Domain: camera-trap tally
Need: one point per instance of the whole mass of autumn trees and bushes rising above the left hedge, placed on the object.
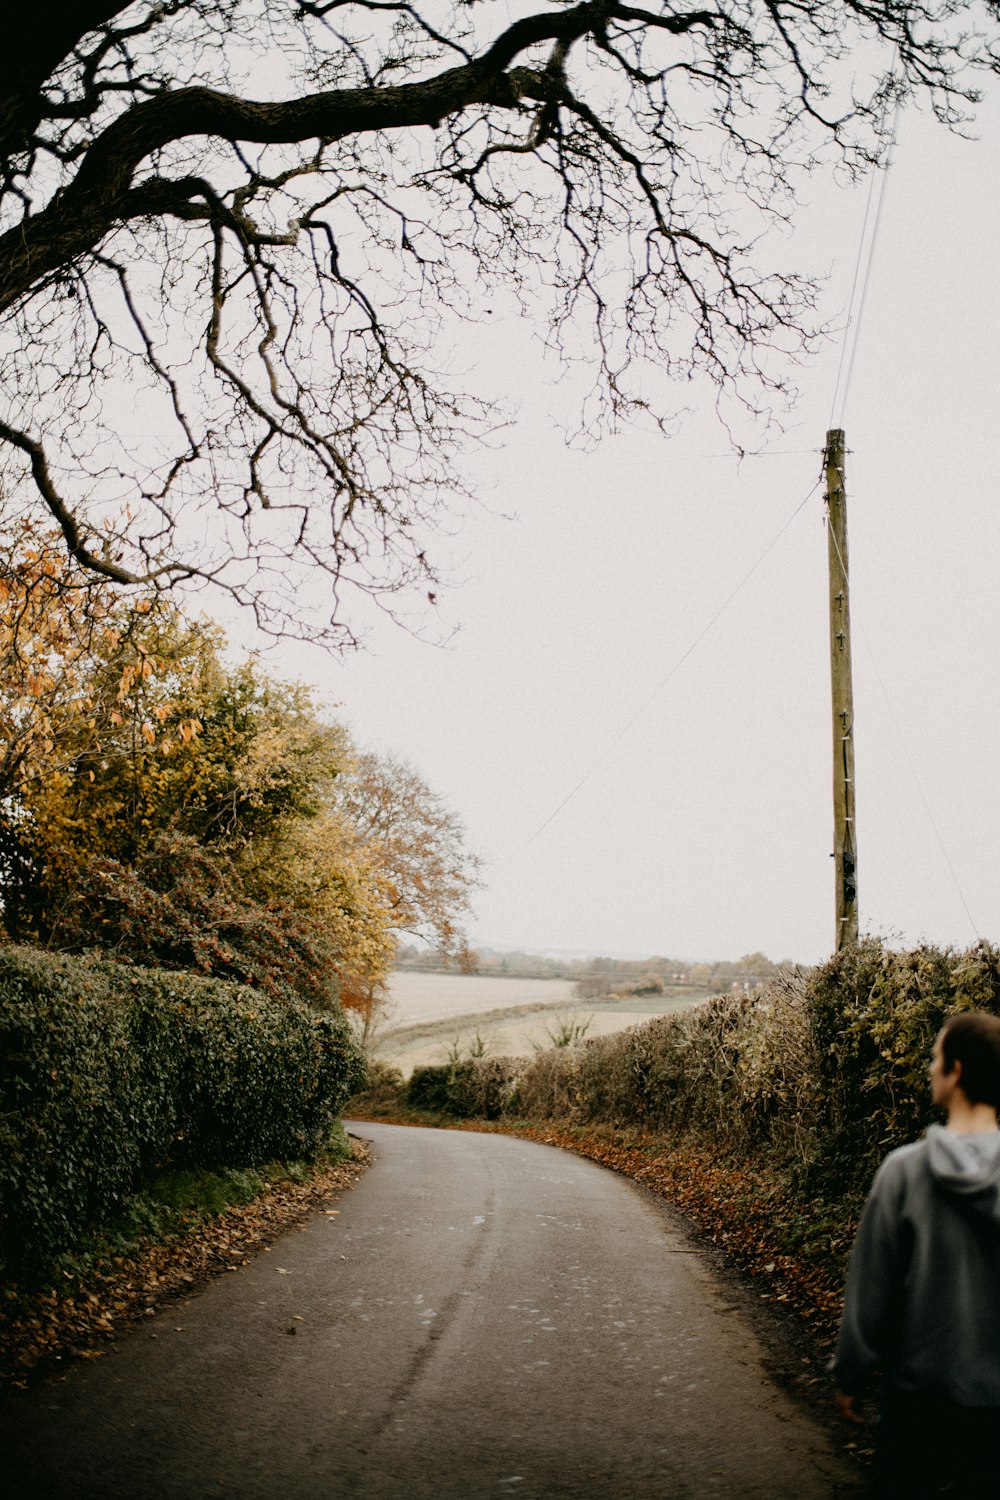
(184, 812)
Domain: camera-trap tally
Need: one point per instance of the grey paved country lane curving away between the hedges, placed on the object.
(479, 1318)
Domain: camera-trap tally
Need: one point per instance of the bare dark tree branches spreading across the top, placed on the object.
(230, 233)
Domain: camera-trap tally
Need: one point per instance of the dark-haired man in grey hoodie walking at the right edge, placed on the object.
(924, 1286)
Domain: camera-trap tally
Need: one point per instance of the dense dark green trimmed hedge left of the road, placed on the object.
(109, 1073)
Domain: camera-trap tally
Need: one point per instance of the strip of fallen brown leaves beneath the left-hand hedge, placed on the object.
(41, 1331)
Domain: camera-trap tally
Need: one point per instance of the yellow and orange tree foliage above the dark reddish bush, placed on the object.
(119, 724)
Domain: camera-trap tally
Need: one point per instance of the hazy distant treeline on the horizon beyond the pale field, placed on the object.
(596, 977)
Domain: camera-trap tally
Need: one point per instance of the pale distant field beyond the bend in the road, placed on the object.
(430, 1015)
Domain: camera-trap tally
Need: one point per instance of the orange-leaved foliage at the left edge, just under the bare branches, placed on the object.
(88, 683)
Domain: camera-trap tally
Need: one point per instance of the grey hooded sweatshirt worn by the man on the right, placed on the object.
(924, 1285)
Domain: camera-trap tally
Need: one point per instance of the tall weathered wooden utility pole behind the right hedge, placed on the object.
(843, 695)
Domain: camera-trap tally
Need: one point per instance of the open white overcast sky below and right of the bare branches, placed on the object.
(704, 826)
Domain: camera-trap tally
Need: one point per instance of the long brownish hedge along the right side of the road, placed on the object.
(815, 1075)
